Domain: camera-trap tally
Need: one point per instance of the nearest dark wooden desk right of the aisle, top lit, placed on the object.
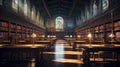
(88, 49)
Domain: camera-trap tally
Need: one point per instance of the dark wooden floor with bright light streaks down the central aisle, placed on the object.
(60, 55)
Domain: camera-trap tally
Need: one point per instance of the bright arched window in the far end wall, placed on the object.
(59, 23)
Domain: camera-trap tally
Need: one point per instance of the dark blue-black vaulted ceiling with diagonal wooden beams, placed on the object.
(51, 8)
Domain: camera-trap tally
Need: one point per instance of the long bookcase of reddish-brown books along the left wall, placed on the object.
(18, 32)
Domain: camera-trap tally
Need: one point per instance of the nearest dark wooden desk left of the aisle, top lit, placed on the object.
(21, 52)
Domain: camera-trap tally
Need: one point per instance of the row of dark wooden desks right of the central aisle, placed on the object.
(93, 48)
